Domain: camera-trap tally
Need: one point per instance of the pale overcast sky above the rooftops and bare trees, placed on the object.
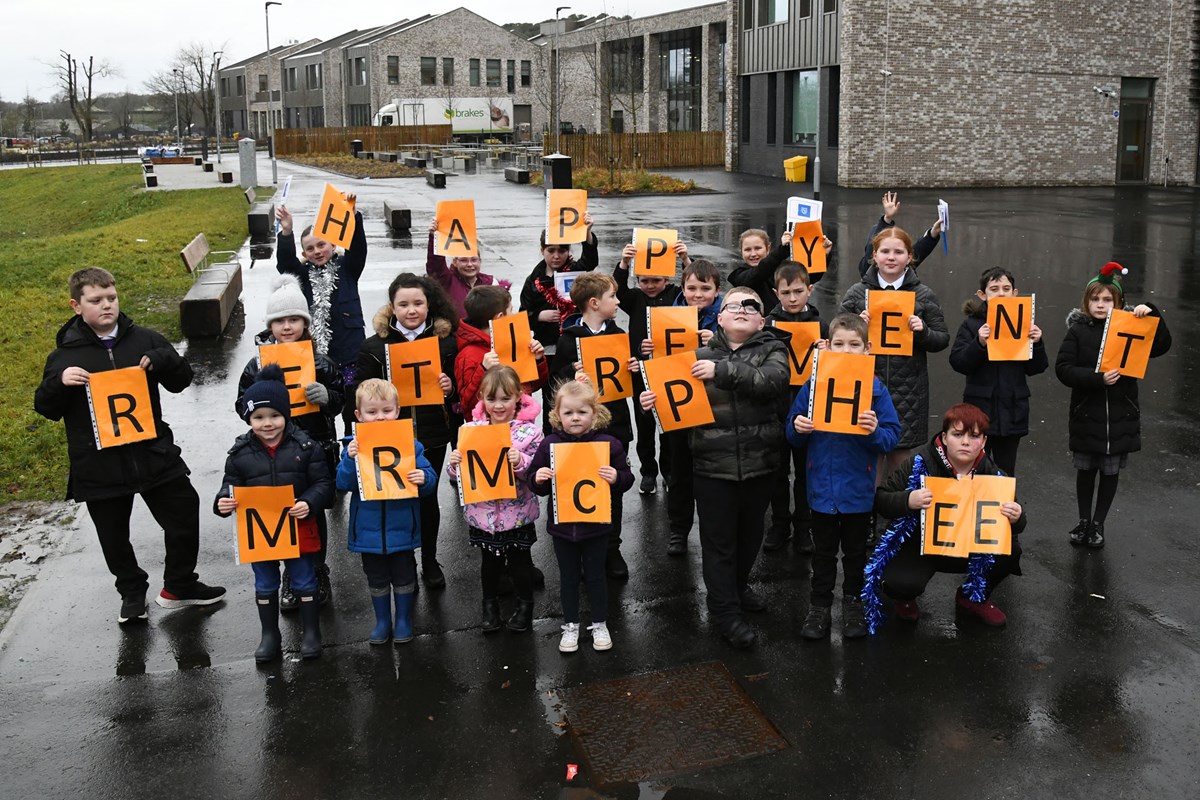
(140, 38)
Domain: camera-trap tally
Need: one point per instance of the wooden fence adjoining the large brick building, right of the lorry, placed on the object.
(644, 151)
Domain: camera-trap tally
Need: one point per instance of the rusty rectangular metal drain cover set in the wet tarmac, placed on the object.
(667, 723)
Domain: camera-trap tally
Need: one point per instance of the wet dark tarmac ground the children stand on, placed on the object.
(1090, 691)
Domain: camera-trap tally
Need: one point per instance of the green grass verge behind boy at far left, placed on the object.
(59, 220)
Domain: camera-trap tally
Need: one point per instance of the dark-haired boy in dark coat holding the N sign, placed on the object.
(1000, 388)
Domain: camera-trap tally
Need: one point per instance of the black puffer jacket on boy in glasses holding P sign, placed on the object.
(747, 394)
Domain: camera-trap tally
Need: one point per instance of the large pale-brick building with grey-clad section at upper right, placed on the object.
(968, 93)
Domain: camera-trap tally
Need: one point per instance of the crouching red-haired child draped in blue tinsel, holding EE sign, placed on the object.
(898, 566)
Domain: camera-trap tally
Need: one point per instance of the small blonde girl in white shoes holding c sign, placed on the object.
(581, 548)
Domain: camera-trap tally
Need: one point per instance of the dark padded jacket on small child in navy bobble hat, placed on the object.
(299, 462)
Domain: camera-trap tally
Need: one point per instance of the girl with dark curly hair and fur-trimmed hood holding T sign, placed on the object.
(417, 310)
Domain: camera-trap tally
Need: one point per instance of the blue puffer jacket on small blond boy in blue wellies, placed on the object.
(385, 526)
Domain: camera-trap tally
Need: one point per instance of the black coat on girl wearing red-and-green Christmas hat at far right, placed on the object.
(1102, 420)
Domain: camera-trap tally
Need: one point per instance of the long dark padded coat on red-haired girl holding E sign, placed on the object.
(907, 377)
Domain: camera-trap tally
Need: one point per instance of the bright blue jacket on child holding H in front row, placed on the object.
(842, 466)
